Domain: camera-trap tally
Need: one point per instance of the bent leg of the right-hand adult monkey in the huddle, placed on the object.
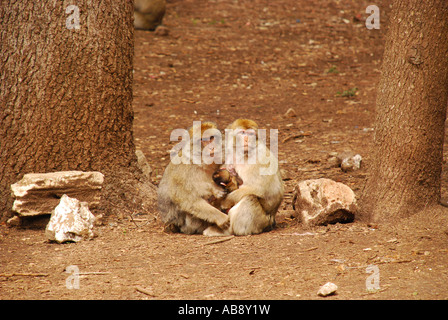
(248, 217)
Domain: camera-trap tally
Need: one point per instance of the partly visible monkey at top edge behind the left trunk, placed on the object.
(148, 14)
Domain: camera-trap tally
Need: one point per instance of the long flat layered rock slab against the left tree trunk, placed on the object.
(39, 193)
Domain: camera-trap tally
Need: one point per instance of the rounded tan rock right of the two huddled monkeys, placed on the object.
(324, 201)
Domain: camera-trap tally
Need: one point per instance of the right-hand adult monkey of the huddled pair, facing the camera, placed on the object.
(254, 204)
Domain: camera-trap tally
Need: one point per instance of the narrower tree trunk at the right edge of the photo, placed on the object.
(407, 154)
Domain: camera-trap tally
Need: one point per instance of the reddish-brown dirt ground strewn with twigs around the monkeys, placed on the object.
(256, 59)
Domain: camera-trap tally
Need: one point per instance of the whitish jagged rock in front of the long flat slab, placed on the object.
(71, 220)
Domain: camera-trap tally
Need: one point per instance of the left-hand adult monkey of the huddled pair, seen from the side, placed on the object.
(186, 189)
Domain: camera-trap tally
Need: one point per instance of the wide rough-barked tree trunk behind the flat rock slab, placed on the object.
(66, 95)
